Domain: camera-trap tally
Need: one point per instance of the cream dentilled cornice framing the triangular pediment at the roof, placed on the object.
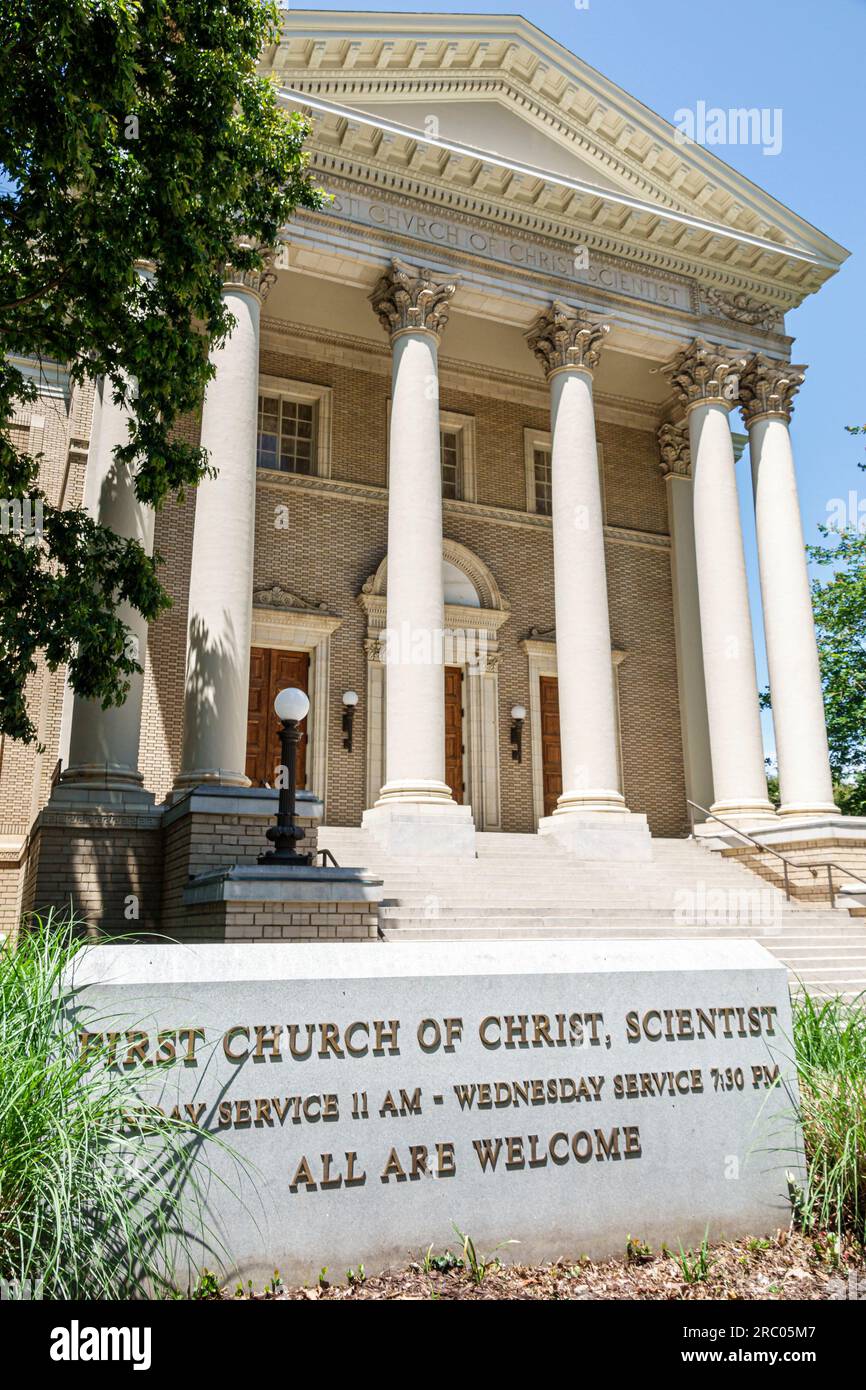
(690, 205)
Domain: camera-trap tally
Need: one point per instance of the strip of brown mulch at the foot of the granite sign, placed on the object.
(789, 1266)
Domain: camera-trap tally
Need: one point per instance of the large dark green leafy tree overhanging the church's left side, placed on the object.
(130, 131)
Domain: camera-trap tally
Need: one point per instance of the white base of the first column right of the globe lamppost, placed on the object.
(436, 829)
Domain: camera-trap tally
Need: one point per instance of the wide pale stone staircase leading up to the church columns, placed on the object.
(523, 888)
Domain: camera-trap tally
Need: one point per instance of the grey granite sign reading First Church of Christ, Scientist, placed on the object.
(557, 1096)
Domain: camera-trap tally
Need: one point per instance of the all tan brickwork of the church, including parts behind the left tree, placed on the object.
(323, 541)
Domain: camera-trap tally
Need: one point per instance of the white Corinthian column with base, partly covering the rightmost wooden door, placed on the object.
(591, 815)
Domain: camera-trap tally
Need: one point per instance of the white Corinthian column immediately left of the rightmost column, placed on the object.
(705, 379)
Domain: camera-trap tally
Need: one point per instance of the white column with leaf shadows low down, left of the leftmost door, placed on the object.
(222, 572)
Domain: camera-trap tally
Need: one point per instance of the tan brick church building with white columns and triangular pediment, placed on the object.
(476, 441)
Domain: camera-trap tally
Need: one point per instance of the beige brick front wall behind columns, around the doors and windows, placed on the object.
(334, 544)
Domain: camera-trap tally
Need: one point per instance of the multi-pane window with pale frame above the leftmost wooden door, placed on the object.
(294, 427)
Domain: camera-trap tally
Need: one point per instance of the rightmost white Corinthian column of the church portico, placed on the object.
(767, 395)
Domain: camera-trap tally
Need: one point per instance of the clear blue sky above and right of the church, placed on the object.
(807, 59)
